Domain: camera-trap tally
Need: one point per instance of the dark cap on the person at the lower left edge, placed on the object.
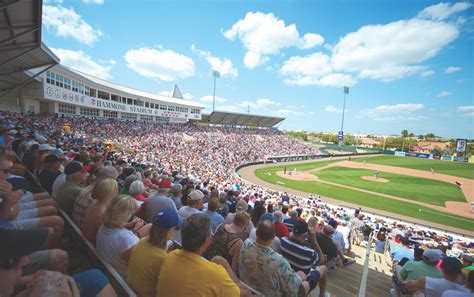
(18, 243)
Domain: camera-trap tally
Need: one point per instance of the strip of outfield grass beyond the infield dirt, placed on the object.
(447, 167)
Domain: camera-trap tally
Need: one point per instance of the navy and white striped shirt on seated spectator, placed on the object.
(300, 257)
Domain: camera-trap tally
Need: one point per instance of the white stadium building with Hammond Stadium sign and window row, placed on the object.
(68, 92)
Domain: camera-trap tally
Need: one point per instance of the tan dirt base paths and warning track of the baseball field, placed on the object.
(248, 173)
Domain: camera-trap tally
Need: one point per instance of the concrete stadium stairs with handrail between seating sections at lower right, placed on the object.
(345, 281)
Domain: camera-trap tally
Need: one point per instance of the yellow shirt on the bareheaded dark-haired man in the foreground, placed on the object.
(187, 274)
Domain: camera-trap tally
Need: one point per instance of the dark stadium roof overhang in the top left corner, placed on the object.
(21, 48)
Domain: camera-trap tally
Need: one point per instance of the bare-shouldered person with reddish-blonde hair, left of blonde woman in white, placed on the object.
(104, 192)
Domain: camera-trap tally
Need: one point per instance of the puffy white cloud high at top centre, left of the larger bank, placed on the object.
(264, 34)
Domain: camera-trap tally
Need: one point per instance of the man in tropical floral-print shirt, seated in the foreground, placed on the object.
(266, 270)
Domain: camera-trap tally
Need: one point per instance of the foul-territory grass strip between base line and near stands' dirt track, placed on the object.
(365, 199)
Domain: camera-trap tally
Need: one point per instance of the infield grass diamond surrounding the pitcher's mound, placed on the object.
(404, 186)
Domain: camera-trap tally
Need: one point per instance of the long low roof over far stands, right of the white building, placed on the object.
(240, 119)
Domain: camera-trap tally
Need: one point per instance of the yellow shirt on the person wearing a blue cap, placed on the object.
(144, 268)
